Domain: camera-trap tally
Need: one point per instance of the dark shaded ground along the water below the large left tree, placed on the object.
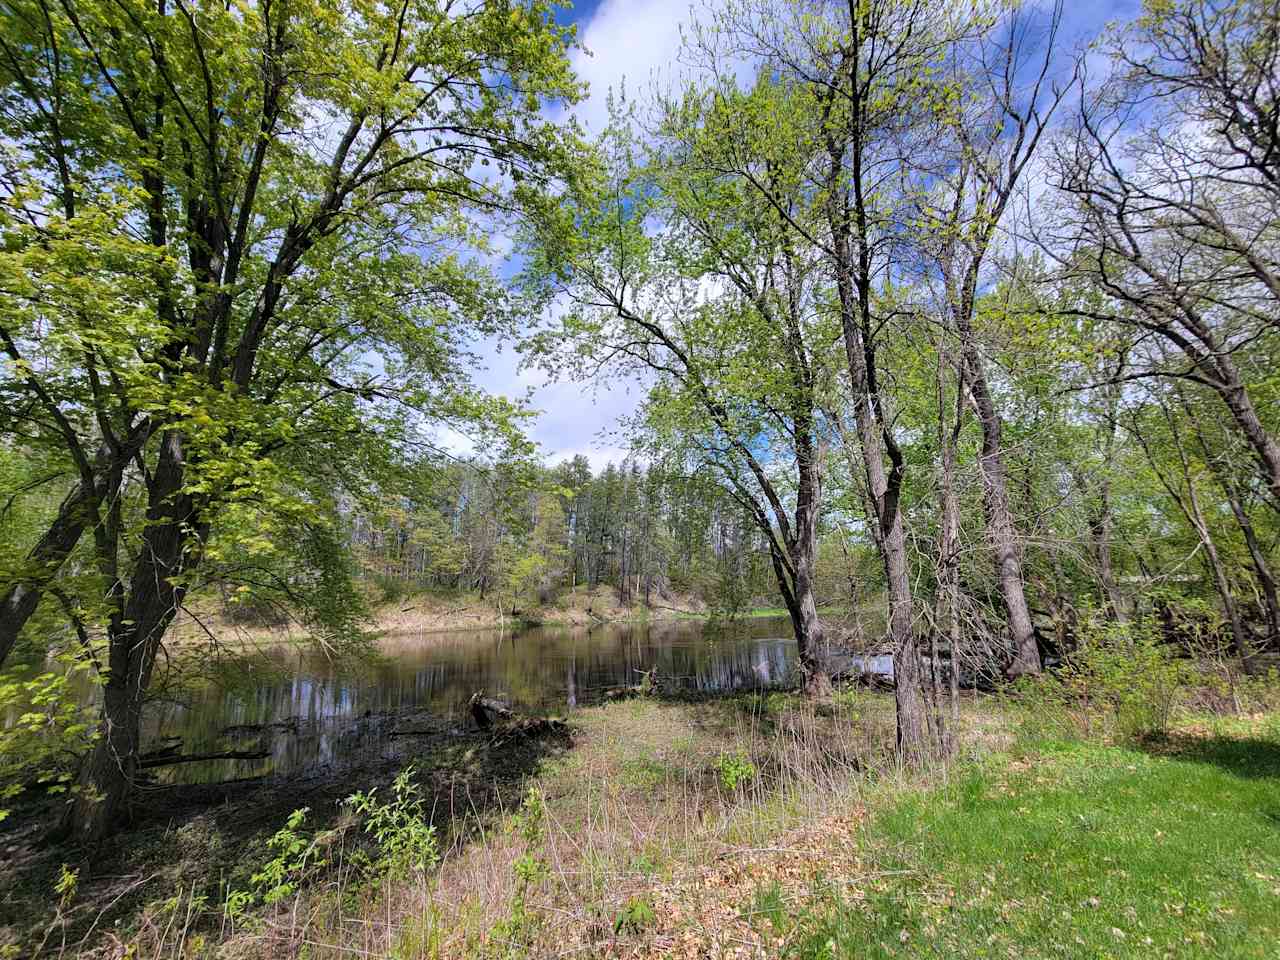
(205, 839)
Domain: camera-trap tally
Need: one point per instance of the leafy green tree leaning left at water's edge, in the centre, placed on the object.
(719, 309)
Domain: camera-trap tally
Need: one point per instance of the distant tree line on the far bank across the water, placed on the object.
(522, 538)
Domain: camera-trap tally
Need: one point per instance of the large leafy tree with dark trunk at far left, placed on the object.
(228, 269)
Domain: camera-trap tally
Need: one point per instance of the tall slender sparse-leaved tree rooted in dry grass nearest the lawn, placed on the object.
(861, 77)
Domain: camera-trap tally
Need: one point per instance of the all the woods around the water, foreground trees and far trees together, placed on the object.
(958, 340)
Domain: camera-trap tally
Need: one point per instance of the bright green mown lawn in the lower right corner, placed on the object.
(1084, 852)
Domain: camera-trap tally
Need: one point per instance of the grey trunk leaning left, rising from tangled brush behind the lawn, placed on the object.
(1000, 523)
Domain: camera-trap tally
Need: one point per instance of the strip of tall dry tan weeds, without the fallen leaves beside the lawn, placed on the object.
(639, 799)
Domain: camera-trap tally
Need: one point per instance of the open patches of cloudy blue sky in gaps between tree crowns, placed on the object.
(633, 44)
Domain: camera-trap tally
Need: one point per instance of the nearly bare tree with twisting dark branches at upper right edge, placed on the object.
(1172, 203)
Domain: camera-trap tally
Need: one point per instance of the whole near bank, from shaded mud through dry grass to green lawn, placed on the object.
(756, 825)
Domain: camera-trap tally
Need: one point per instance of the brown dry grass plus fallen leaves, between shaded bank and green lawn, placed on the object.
(647, 849)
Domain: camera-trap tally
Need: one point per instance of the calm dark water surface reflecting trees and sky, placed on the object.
(323, 715)
